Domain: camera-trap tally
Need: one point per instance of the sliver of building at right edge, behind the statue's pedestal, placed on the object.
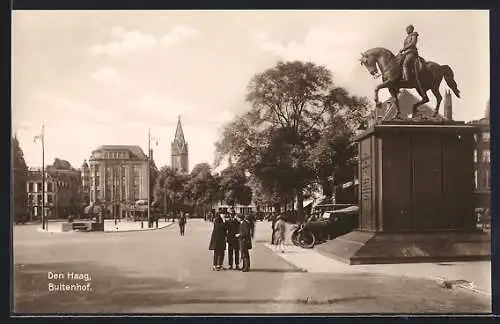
(482, 162)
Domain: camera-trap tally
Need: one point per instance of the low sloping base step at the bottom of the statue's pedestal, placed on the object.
(375, 248)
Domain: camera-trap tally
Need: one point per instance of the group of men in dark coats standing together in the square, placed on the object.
(234, 232)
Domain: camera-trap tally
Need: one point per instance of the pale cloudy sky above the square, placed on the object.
(106, 77)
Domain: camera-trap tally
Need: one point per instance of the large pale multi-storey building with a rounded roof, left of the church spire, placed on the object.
(118, 177)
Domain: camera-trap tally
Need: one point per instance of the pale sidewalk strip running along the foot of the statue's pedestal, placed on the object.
(475, 276)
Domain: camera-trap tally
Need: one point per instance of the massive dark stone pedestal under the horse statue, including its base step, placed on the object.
(416, 196)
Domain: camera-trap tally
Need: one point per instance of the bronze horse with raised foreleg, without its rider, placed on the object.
(425, 76)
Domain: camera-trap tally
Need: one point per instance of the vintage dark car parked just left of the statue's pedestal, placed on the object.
(332, 224)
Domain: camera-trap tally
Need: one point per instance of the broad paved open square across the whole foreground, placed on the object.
(159, 271)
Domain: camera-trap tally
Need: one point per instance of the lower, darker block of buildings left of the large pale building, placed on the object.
(62, 188)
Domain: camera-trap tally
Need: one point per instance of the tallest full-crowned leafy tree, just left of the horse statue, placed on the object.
(294, 109)
